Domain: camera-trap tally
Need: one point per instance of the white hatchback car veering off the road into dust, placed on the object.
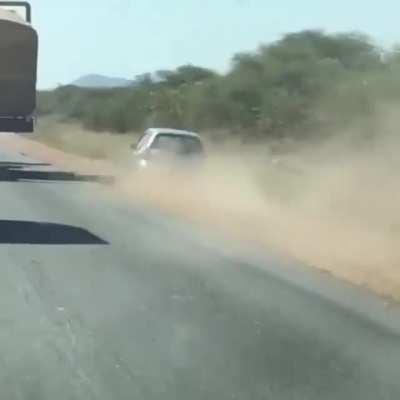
(164, 146)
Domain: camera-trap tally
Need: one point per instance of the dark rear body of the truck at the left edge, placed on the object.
(18, 69)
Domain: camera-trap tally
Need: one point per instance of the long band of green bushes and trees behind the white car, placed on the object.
(301, 83)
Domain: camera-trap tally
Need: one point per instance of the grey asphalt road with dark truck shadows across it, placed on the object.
(102, 300)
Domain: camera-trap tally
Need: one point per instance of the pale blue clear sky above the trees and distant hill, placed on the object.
(124, 38)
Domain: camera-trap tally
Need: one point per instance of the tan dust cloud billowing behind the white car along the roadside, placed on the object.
(332, 204)
